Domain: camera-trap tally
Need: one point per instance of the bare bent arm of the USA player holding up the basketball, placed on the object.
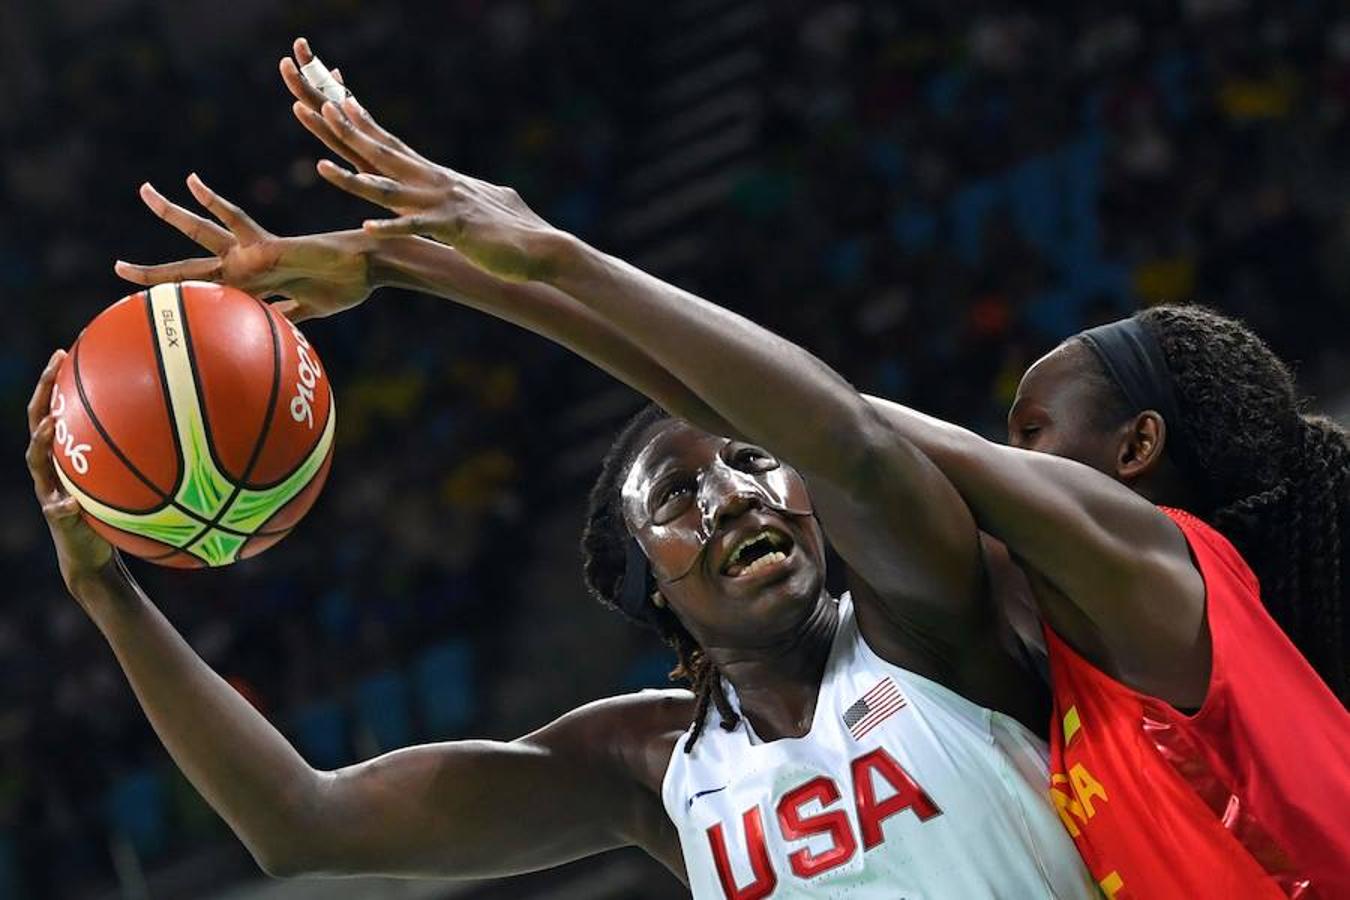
(457, 810)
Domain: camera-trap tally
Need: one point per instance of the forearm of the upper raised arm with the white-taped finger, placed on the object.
(769, 389)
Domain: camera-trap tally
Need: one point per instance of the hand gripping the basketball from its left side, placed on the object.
(80, 551)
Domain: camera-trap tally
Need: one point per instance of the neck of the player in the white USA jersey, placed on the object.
(778, 683)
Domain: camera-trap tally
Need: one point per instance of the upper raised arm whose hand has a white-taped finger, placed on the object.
(765, 389)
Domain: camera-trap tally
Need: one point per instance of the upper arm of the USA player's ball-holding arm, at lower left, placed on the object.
(466, 810)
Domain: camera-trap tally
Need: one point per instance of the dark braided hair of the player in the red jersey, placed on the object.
(1276, 482)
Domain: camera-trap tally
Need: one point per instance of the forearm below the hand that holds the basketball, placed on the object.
(236, 759)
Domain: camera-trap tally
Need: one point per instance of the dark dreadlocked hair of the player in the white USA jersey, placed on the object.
(604, 563)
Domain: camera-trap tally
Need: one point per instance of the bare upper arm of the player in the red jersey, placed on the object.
(1108, 553)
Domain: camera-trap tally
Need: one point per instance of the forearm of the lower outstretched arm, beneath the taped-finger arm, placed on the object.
(416, 264)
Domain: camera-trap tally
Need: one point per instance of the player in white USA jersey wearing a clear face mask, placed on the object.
(854, 751)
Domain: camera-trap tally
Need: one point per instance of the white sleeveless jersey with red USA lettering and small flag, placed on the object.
(901, 791)
